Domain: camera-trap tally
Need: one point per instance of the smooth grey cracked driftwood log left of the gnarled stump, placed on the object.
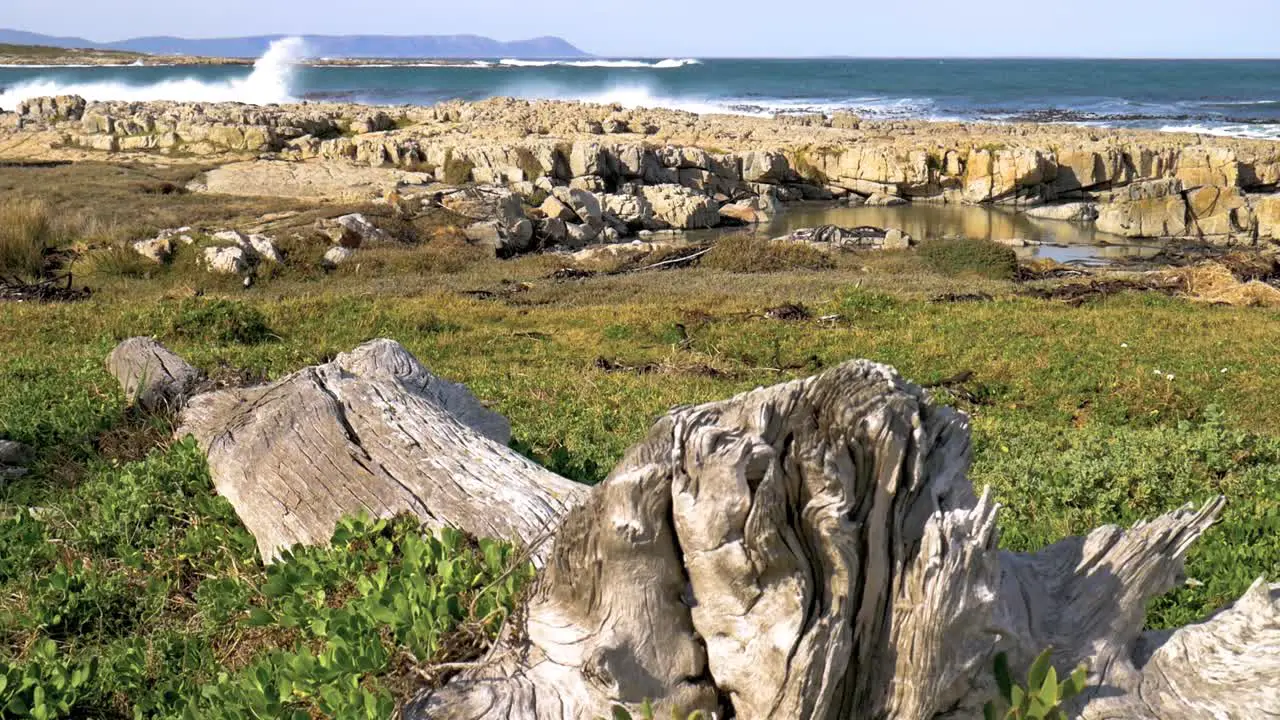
(373, 432)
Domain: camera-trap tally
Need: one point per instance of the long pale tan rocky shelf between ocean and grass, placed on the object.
(572, 175)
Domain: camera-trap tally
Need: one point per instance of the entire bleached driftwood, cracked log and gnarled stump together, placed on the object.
(812, 550)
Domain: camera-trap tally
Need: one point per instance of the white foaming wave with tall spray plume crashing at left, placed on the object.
(271, 81)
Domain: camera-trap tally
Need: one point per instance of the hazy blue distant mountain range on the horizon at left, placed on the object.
(321, 45)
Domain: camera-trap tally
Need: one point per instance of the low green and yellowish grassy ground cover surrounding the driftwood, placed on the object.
(116, 546)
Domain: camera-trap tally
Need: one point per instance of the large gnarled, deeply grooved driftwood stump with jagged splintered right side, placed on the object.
(816, 552)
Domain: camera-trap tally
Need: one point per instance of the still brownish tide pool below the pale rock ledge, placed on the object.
(1054, 240)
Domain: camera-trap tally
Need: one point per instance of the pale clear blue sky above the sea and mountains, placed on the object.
(1167, 29)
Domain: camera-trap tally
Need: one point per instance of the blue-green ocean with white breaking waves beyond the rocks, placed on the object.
(1228, 98)
